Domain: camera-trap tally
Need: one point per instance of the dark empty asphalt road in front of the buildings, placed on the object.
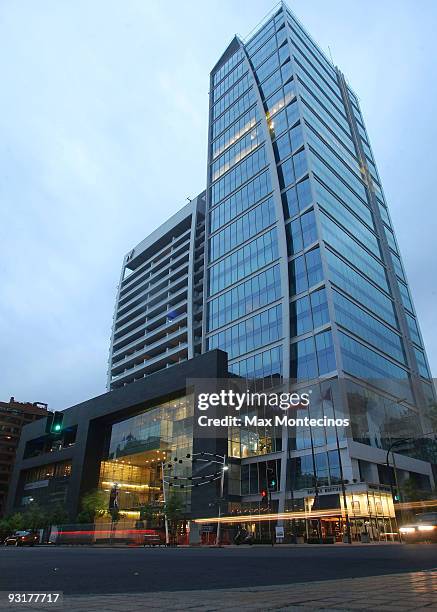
(86, 570)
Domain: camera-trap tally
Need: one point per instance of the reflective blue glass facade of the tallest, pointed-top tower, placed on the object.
(293, 190)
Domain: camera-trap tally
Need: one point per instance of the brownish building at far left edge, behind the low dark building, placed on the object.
(13, 416)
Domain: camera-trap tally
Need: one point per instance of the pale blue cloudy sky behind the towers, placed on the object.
(103, 122)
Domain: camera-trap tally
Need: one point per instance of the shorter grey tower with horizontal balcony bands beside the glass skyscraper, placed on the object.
(158, 313)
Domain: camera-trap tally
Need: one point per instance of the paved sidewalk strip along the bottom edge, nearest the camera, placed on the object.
(394, 592)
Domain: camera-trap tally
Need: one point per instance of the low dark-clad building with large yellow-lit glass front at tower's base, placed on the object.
(121, 437)
